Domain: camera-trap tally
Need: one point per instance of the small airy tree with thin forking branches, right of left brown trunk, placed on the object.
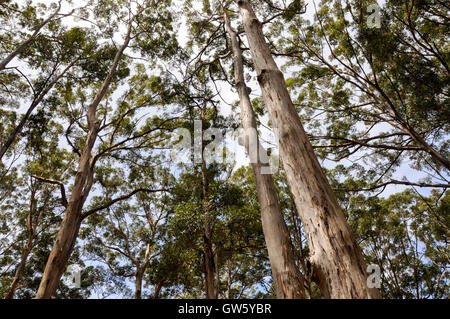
(127, 236)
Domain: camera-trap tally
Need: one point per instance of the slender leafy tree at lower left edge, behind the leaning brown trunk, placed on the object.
(32, 211)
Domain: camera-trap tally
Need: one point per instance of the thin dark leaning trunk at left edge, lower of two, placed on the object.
(36, 101)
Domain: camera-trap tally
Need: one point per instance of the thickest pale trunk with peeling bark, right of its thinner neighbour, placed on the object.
(336, 260)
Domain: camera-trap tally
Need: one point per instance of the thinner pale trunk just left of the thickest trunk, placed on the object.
(287, 278)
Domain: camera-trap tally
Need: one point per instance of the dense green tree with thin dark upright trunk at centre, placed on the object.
(205, 168)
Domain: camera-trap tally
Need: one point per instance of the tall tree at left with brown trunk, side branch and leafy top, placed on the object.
(136, 27)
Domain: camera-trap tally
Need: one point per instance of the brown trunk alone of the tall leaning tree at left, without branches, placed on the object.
(68, 232)
